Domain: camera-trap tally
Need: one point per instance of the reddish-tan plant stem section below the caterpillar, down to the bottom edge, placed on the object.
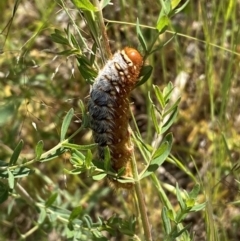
(140, 198)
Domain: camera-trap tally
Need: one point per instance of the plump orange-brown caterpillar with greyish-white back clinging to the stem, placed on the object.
(108, 109)
